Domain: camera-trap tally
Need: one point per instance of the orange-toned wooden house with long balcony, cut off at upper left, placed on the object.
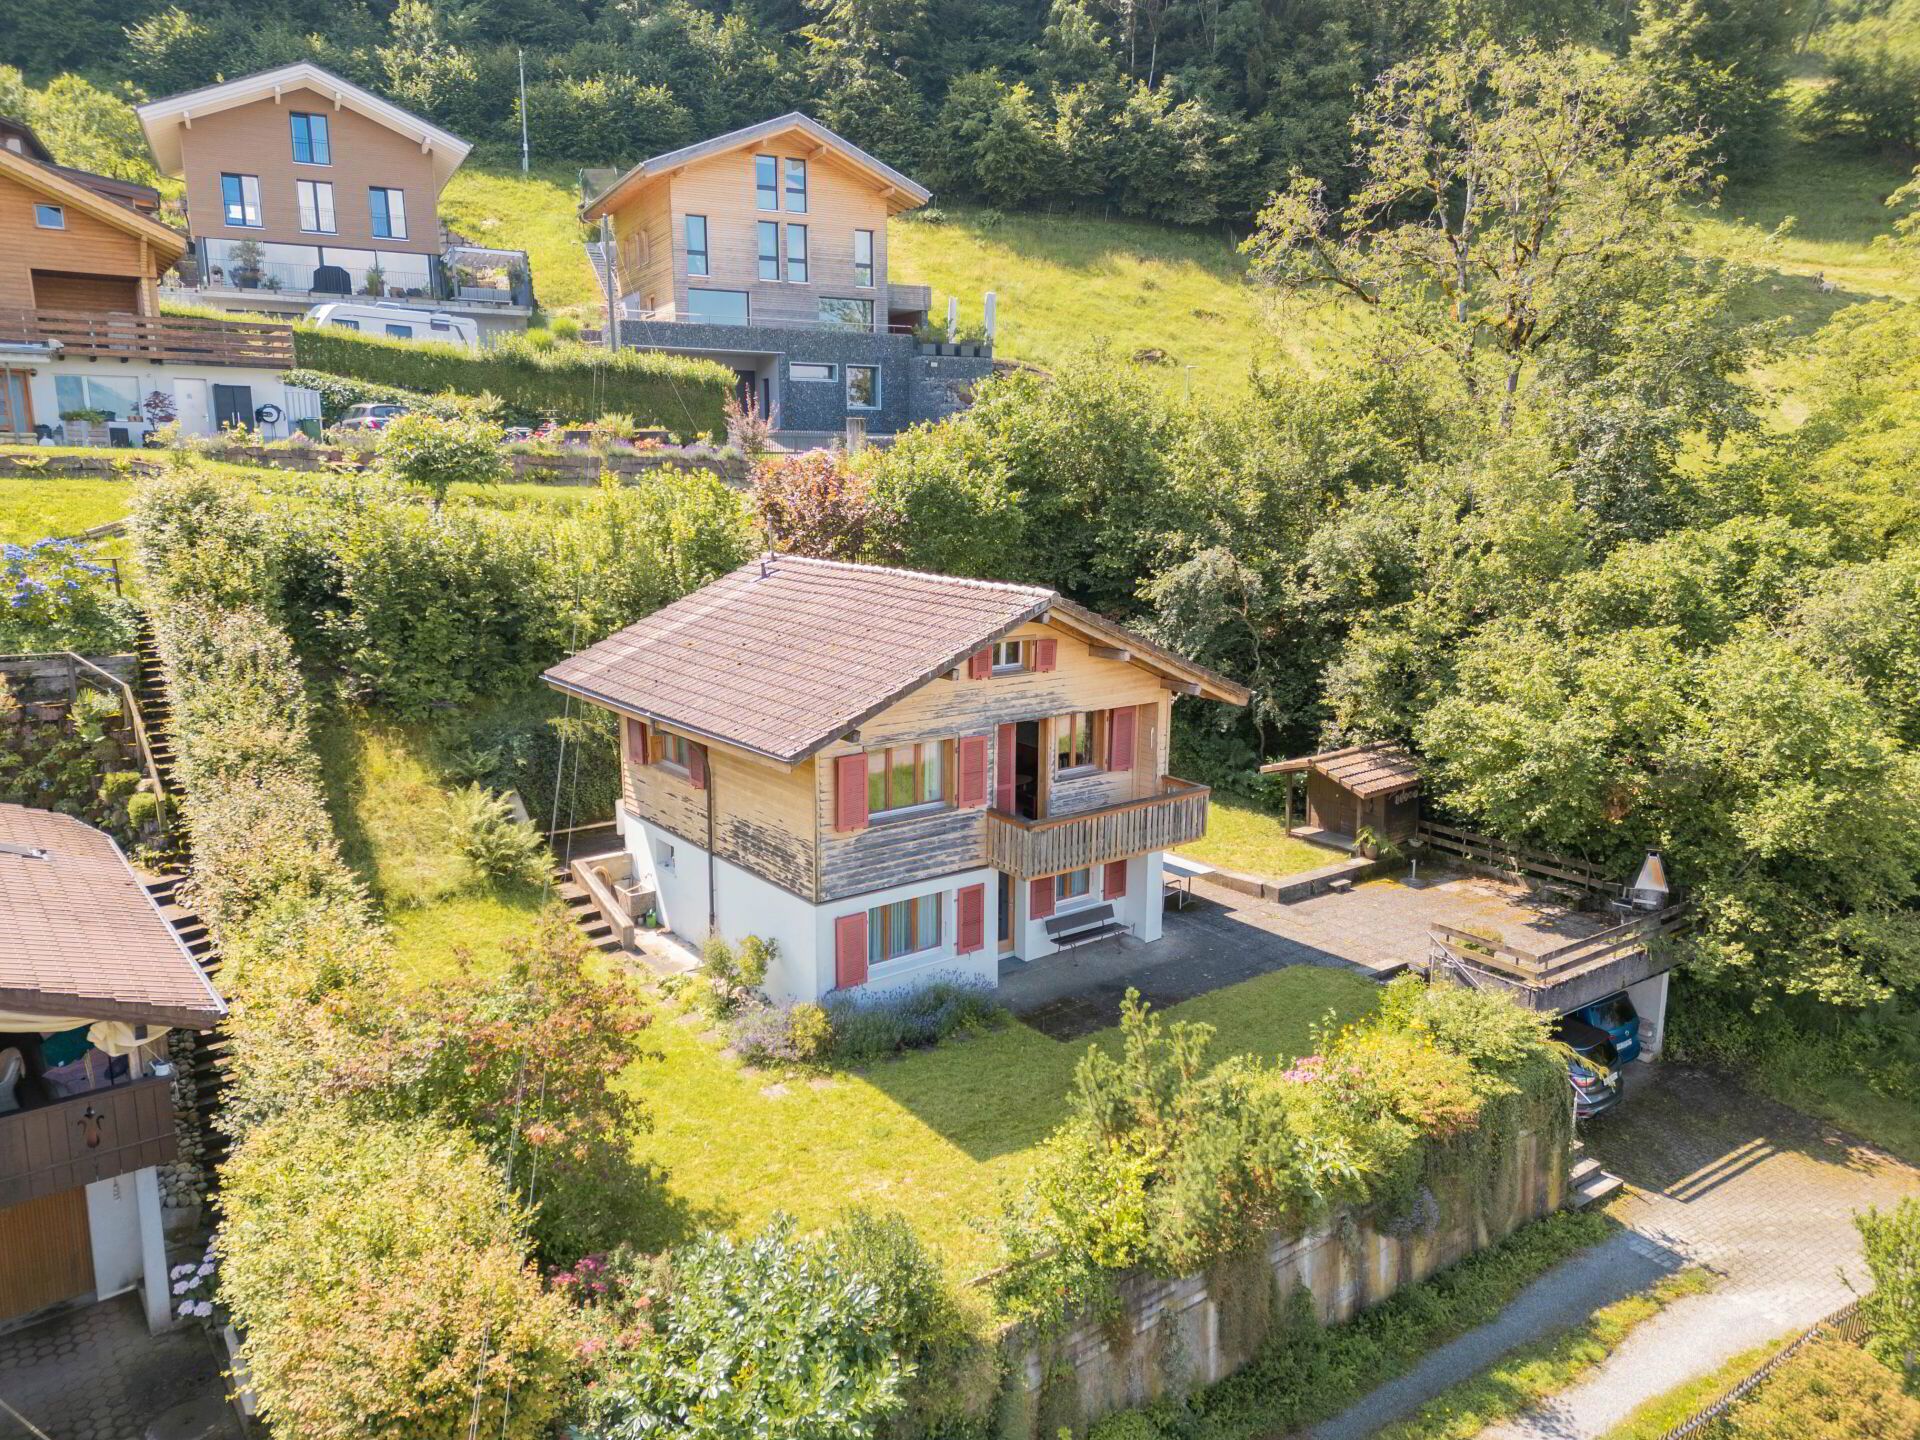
(82, 325)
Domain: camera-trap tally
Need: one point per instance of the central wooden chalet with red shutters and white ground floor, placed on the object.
(894, 775)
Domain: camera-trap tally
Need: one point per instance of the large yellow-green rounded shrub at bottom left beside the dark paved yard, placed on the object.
(377, 1276)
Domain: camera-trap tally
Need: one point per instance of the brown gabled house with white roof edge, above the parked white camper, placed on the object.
(306, 189)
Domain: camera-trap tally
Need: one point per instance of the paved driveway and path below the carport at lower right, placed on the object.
(1717, 1178)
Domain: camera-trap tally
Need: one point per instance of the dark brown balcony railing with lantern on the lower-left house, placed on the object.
(91, 1138)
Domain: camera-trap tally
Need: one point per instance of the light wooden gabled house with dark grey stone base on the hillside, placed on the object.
(767, 251)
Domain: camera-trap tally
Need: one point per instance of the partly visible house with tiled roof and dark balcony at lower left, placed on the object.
(91, 982)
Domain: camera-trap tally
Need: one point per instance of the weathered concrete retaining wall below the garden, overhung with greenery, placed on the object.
(1197, 1330)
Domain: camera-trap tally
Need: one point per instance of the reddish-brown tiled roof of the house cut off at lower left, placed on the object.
(80, 934)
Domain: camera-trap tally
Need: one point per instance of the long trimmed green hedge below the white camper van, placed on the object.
(565, 381)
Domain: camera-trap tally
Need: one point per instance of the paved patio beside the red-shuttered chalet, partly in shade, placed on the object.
(1224, 938)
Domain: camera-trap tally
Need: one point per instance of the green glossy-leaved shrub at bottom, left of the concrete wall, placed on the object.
(805, 1339)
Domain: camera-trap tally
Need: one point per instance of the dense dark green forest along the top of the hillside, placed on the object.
(1180, 110)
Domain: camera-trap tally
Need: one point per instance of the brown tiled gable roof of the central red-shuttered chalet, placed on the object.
(788, 654)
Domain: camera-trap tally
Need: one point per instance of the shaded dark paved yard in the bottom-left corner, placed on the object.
(95, 1374)
